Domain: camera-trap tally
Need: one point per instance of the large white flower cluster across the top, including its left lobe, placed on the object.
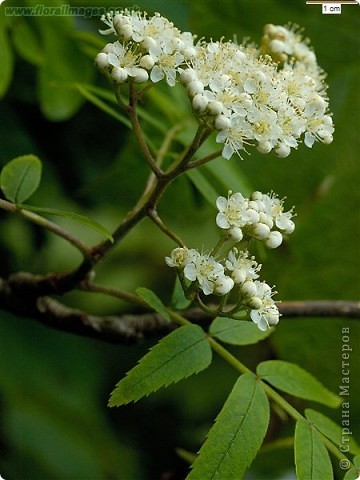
(270, 97)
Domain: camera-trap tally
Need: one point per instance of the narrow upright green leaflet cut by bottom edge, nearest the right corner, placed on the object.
(312, 460)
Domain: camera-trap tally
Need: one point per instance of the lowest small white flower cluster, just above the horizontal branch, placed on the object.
(239, 270)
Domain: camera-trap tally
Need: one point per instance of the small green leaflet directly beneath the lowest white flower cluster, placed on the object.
(237, 332)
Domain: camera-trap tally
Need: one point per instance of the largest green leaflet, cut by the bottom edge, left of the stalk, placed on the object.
(237, 434)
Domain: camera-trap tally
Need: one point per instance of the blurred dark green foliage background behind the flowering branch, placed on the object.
(54, 423)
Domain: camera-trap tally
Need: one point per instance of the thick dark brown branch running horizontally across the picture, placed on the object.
(23, 295)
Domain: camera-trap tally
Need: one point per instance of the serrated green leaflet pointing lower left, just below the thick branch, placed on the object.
(179, 355)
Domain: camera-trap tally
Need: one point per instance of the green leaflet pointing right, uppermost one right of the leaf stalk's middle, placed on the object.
(290, 378)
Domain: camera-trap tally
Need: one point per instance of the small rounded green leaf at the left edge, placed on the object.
(20, 178)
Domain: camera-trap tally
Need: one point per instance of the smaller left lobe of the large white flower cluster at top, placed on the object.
(147, 48)
